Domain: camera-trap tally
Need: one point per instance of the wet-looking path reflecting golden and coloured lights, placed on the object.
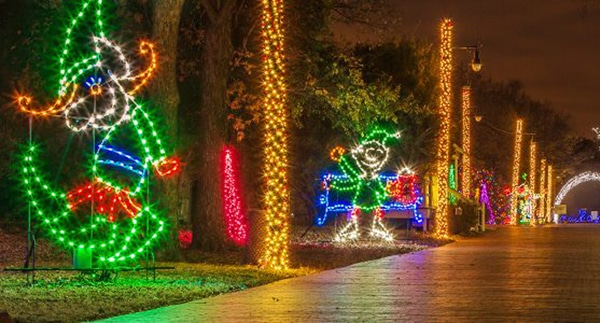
(539, 274)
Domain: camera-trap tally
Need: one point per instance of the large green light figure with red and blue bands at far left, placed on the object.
(106, 214)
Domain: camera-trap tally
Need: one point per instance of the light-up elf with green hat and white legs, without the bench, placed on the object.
(361, 179)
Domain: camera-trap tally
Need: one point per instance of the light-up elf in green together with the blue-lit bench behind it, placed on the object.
(361, 187)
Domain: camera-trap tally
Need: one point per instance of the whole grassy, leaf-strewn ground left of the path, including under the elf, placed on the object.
(72, 297)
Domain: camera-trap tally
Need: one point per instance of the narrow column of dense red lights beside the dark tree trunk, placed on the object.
(235, 221)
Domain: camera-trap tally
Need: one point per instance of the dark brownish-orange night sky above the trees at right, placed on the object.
(552, 46)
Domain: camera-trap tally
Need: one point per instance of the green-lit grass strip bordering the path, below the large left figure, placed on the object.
(63, 296)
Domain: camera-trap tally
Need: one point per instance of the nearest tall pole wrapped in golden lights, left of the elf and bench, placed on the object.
(275, 169)
